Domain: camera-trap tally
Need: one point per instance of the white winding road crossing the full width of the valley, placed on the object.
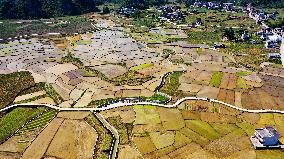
(116, 105)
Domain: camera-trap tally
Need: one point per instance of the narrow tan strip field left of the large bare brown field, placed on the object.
(41, 143)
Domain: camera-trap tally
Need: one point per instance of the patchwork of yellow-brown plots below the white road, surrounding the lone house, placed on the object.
(196, 129)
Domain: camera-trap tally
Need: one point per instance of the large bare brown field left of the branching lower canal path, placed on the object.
(74, 139)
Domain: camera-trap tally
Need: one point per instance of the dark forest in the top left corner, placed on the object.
(31, 9)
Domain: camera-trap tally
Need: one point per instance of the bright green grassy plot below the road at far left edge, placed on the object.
(15, 119)
